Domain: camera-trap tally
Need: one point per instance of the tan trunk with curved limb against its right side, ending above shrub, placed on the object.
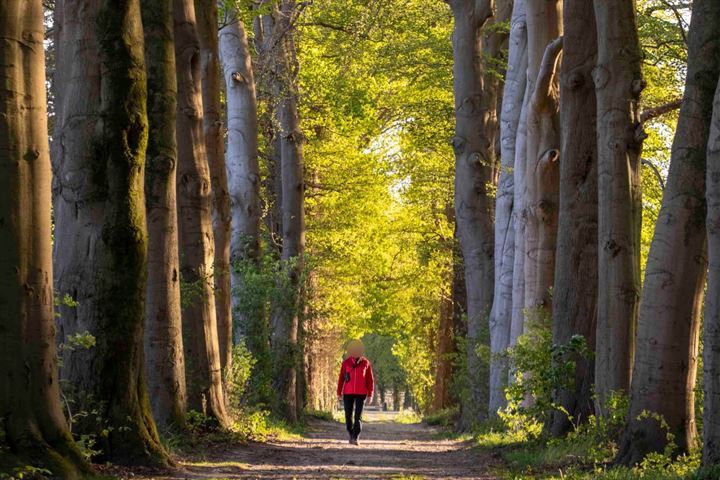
(542, 182)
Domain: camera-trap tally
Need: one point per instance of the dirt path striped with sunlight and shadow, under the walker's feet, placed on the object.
(387, 450)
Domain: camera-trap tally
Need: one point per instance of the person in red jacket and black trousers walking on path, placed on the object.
(355, 387)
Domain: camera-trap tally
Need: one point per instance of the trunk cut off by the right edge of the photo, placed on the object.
(711, 321)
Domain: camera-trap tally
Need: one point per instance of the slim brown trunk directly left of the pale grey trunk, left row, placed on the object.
(207, 28)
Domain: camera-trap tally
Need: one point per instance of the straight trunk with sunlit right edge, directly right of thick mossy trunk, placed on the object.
(164, 357)
